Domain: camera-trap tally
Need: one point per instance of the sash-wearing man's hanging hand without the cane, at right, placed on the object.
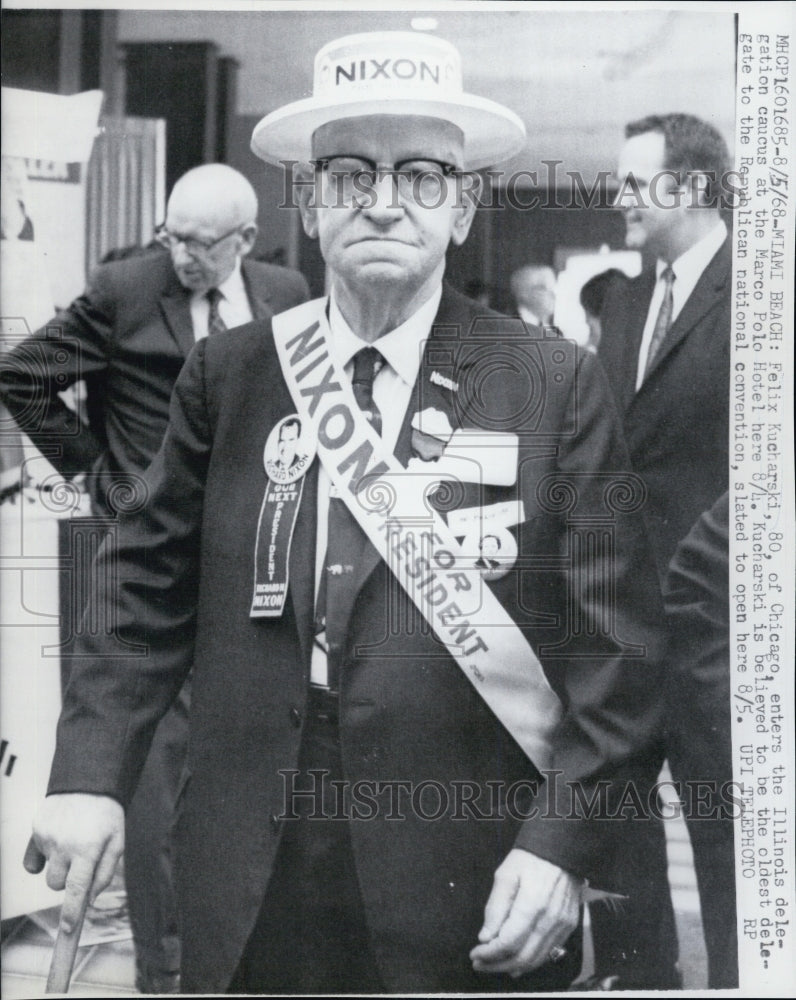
(534, 906)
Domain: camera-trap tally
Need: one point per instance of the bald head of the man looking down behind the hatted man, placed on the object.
(210, 223)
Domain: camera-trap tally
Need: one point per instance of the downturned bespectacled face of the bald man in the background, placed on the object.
(198, 267)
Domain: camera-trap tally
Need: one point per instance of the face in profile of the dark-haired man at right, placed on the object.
(652, 206)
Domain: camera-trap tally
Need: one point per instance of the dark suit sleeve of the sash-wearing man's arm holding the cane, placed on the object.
(125, 676)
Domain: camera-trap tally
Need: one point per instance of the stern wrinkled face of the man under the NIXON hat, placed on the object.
(381, 230)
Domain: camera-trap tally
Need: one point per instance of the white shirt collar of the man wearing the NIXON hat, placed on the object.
(402, 348)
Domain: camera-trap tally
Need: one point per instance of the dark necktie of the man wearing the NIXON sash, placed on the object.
(345, 539)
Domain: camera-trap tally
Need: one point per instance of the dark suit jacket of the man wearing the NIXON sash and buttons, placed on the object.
(184, 567)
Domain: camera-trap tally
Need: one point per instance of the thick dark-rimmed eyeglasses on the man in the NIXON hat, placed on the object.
(423, 181)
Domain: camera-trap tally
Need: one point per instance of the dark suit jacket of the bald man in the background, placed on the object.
(127, 336)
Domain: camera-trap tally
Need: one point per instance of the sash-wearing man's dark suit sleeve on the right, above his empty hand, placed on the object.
(607, 669)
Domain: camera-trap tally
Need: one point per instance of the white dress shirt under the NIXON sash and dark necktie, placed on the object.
(402, 350)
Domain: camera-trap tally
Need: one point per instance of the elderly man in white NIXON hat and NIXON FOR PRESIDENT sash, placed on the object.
(364, 807)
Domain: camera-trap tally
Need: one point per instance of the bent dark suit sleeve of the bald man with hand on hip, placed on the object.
(73, 345)
